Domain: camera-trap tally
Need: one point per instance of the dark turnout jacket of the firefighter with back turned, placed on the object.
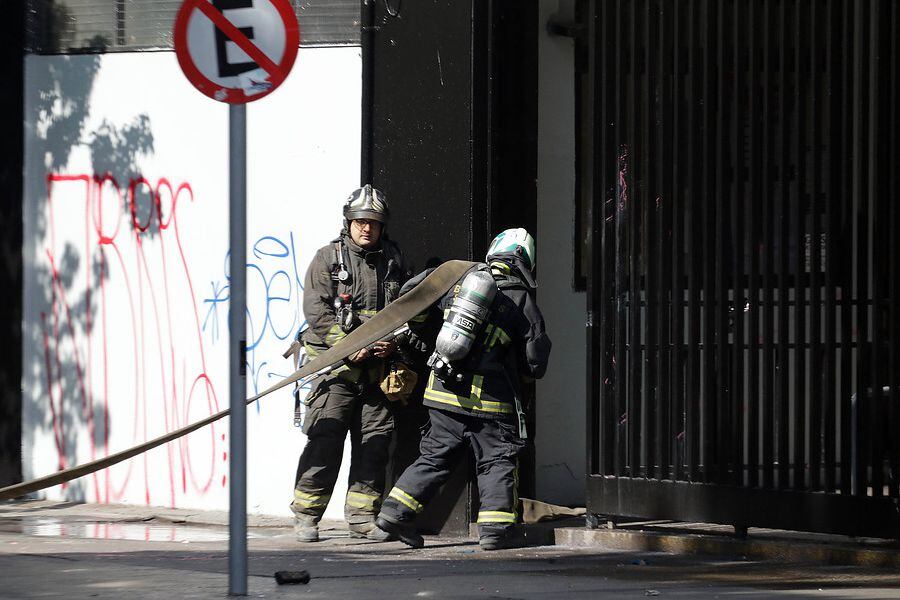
(511, 346)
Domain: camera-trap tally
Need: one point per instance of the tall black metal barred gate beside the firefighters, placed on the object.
(745, 316)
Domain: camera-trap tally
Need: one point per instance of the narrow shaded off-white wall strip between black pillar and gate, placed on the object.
(560, 444)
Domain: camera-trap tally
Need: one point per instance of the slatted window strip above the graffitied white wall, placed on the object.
(88, 26)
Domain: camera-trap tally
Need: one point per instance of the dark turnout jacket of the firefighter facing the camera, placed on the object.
(375, 277)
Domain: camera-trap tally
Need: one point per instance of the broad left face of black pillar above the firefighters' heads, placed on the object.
(422, 125)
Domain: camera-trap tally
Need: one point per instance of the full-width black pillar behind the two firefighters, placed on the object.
(449, 133)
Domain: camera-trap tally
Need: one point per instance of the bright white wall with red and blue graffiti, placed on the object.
(125, 324)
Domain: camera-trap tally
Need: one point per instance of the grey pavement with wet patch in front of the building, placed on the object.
(85, 551)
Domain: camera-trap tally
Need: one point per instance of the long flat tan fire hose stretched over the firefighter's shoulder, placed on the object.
(382, 324)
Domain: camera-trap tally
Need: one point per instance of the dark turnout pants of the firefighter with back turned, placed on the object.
(496, 445)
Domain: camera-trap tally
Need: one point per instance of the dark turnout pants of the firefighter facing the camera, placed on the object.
(334, 408)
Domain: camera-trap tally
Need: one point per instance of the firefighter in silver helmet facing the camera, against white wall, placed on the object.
(347, 282)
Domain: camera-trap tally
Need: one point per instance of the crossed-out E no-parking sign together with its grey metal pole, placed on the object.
(237, 51)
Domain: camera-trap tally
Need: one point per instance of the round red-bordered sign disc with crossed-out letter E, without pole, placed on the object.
(236, 51)
